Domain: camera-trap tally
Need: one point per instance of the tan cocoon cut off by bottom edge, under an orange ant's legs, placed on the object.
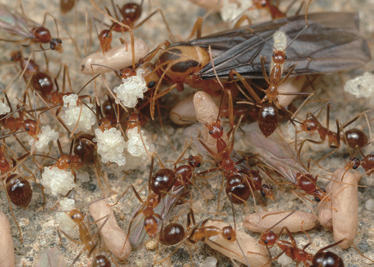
(249, 245)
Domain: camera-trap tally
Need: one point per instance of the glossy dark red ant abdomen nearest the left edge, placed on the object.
(19, 190)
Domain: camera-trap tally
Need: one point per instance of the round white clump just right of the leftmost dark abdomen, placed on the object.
(56, 181)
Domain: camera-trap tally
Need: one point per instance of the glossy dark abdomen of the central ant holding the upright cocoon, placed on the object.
(238, 188)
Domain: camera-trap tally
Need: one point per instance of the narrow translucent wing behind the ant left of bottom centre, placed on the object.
(165, 209)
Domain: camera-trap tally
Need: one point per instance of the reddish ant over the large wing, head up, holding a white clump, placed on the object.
(268, 116)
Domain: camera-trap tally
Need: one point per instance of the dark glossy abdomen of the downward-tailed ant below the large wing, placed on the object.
(268, 119)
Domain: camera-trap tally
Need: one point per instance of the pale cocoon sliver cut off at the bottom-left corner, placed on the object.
(6, 242)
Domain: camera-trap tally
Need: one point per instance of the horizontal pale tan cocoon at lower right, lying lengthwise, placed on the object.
(256, 222)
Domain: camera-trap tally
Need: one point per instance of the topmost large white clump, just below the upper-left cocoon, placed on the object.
(131, 89)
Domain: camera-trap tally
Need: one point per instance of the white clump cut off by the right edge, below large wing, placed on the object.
(361, 86)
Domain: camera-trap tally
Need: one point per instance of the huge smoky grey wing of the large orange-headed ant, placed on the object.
(240, 49)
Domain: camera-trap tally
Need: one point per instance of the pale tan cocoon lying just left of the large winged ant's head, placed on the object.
(116, 58)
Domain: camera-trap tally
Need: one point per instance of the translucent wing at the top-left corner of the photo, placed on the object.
(15, 23)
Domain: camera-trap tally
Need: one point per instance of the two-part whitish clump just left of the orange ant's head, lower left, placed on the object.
(65, 222)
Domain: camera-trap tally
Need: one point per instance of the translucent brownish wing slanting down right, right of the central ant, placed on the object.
(275, 152)
